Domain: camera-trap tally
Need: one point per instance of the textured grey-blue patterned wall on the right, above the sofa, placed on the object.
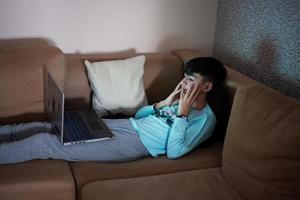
(262, 40)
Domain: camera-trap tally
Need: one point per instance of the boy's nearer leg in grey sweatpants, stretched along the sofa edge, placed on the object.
(125, 146)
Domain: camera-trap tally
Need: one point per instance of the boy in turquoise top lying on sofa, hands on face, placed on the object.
(173, 126)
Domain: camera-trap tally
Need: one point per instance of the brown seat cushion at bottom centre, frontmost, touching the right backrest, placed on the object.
(196, 184)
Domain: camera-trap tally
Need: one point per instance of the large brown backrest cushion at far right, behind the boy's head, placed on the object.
(261, 156)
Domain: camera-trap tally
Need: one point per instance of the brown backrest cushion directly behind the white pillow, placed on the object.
(162, 72)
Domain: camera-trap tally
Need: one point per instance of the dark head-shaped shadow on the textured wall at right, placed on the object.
(263, 67)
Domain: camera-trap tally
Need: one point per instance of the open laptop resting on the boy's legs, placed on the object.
(72, 127)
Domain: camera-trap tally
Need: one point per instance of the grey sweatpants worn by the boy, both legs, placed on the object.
(28, 141)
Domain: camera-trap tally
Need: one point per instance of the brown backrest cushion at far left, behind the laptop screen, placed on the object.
(22, 81)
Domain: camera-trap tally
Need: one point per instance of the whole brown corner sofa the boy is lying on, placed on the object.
(260, 158)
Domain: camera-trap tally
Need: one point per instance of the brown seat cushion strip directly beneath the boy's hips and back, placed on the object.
(200, 158)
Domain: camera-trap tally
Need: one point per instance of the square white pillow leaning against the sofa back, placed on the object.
(117, 85)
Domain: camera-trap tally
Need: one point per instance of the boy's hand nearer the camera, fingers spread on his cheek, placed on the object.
(186, 100)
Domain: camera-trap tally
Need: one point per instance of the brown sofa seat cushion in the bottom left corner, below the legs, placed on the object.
(37, 179)
